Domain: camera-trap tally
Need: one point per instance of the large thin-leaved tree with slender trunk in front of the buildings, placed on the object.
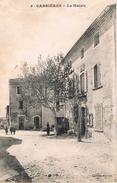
(46, 82)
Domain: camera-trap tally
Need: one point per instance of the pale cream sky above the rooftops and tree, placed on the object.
(26, 32)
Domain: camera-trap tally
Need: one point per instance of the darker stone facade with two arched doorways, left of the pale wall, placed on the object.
(23, 115)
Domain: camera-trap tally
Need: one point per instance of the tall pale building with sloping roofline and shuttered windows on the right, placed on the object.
(93, 59)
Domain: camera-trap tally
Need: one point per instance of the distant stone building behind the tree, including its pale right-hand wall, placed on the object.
(24, 114)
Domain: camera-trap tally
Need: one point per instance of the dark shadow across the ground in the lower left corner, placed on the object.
(10, 162)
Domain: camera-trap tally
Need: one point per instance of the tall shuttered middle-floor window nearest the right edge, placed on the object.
(97, 76)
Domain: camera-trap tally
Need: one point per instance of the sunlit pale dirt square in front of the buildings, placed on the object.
(47, 159)
